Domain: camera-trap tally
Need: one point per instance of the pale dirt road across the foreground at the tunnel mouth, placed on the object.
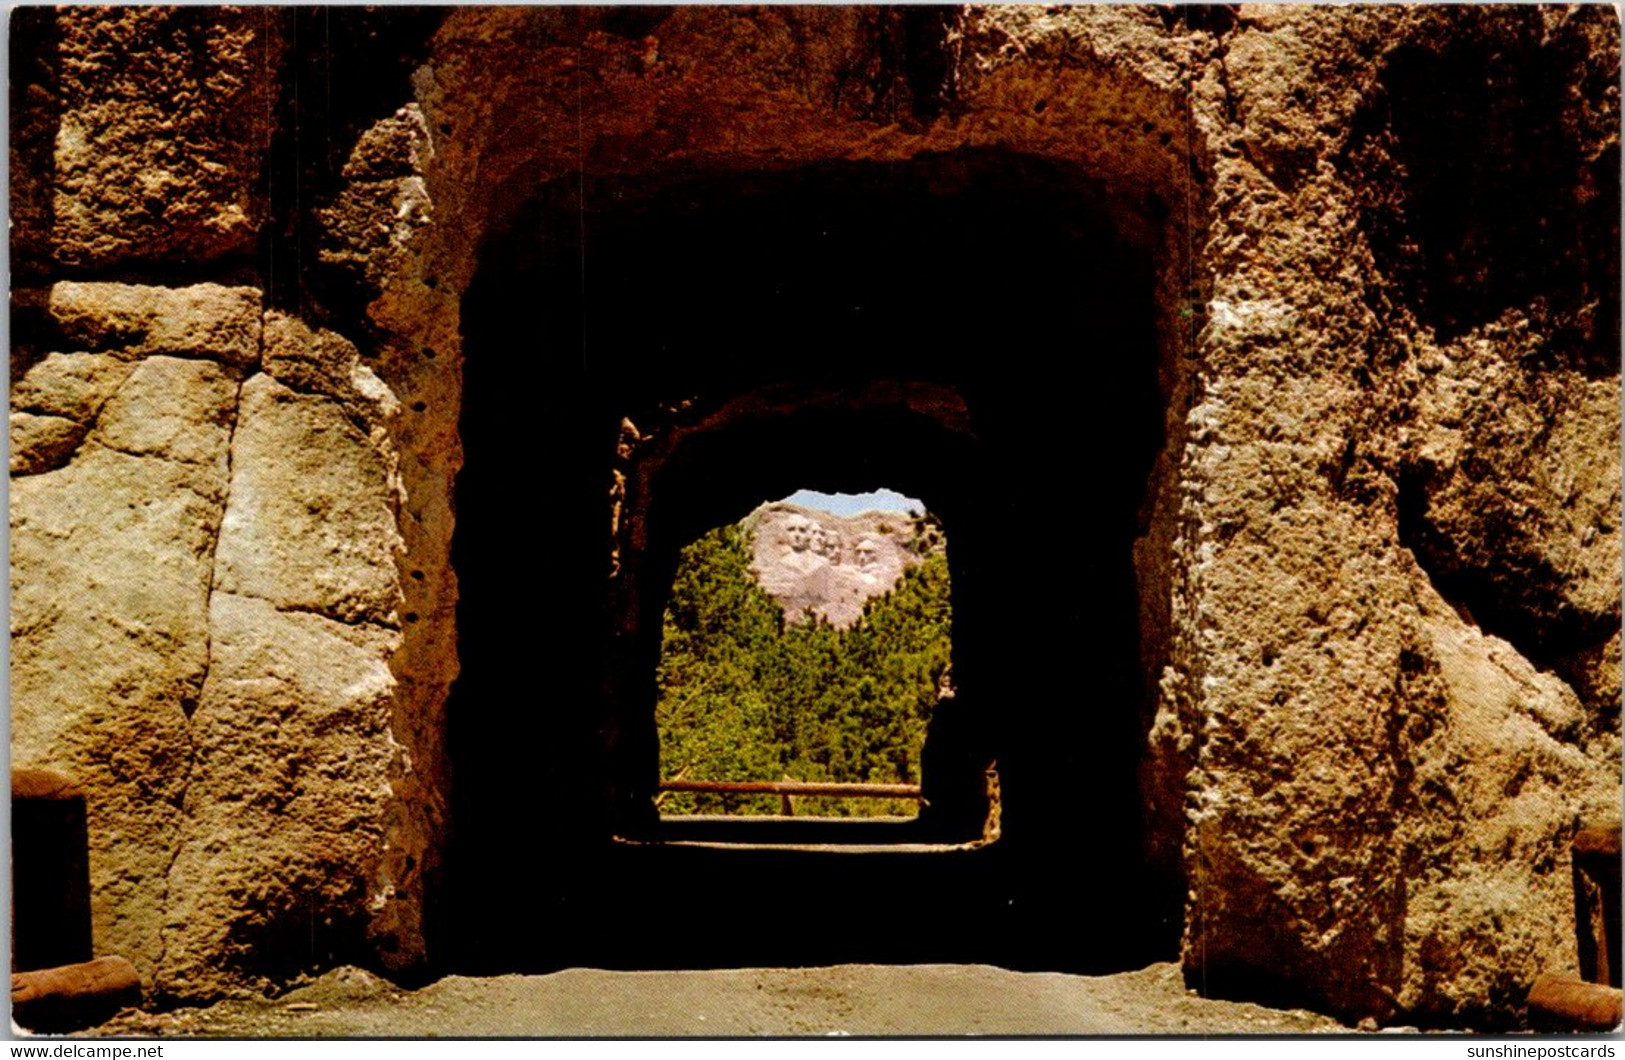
(852, 999)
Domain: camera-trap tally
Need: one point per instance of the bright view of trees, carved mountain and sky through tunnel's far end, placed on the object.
(804, 651)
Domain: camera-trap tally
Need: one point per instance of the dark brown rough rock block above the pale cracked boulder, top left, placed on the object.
(165, 116)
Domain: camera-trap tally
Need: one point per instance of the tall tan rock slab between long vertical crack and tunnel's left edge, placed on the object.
(284, 841)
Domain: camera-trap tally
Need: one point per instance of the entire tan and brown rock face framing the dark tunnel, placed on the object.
(1380, 552)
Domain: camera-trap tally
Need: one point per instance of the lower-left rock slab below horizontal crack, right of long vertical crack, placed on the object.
(287, 801)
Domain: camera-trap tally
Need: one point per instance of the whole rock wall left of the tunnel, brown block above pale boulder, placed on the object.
(204, 519)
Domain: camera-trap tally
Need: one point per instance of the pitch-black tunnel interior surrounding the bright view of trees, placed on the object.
(651, 358)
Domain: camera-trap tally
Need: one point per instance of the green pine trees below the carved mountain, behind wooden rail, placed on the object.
(748, 697)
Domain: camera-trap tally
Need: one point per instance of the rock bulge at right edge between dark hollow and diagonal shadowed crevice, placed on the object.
(1514, 506)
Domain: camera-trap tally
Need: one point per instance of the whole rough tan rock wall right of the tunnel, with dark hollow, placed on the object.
(1380, 793)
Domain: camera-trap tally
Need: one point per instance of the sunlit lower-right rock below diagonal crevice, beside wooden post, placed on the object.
(1506, 768)
